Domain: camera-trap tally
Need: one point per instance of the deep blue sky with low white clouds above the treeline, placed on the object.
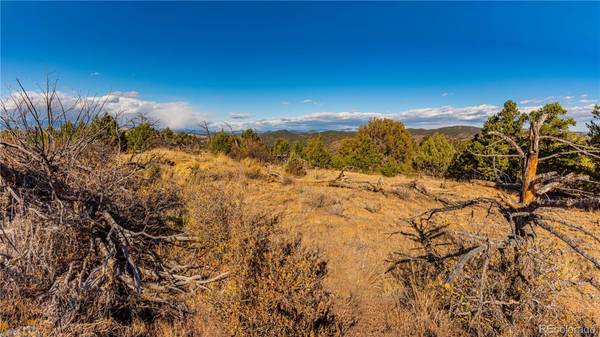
(309, 65)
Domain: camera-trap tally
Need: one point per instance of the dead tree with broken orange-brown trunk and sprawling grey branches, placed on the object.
(498, 277)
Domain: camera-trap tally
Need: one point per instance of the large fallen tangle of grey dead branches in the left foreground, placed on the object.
(83, 234)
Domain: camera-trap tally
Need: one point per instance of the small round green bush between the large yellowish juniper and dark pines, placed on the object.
(434, 155)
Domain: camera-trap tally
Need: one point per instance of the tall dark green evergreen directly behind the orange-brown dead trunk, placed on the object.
(476, 160)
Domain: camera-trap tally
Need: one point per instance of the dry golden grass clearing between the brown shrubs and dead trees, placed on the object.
(352, 227)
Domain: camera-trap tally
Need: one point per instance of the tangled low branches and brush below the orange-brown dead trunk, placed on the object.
(492, 282)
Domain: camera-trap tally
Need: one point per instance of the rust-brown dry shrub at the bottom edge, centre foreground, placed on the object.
(278, 287)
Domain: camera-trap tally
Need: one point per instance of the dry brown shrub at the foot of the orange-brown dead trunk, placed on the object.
(491, 297)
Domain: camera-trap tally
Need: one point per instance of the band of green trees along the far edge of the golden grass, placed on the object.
(386, 147)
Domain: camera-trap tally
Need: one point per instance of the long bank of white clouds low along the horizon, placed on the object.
(181, 115)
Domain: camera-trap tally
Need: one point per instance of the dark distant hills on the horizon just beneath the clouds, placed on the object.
(458, 132)
